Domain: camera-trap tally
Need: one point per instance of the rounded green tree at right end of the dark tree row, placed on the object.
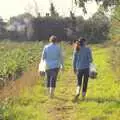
(95, 29)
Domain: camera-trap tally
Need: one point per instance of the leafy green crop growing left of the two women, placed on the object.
(16, 57)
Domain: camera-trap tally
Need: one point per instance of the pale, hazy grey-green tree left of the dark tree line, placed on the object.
(20, 27)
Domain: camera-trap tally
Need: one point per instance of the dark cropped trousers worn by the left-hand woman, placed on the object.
(52, 77)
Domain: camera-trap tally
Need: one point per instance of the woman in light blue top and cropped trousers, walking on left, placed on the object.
(53, 58)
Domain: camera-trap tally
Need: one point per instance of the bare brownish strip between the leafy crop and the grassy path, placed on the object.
(13, 88)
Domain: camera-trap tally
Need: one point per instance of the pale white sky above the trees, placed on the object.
(9, 8)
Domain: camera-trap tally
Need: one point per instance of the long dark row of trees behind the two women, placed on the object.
(94, 29)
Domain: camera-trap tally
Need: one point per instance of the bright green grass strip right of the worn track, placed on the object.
(103, 93)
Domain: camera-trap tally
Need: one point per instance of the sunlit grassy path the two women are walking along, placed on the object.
(102, 101)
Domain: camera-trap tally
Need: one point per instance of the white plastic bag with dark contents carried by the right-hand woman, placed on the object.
(92, 71)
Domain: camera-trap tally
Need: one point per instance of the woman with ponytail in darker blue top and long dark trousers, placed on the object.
(82, 57)
